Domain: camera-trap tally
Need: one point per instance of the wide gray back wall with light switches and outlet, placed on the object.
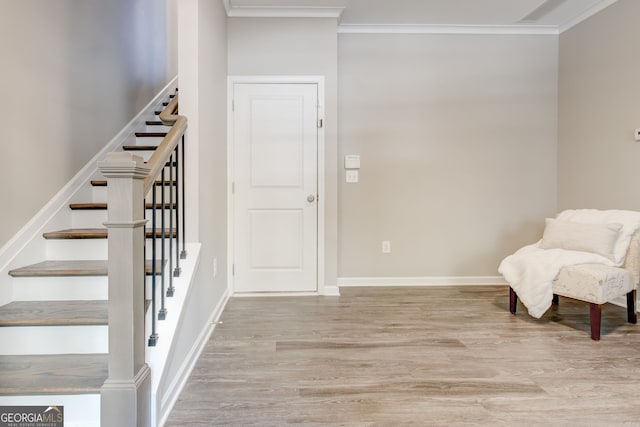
(457, 138)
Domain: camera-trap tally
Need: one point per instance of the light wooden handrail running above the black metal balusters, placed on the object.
(162, 154)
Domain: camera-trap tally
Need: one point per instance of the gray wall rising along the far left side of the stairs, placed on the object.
(73, 74)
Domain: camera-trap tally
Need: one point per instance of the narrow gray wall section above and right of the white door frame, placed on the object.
(291, 46)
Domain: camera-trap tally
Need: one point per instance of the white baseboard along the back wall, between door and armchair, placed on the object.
(421, 281)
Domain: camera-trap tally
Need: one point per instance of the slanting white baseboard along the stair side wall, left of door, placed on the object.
(177, 384)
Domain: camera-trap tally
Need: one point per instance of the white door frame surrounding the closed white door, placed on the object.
(319, 81)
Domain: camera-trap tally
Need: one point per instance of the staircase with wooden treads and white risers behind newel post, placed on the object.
(54, 333)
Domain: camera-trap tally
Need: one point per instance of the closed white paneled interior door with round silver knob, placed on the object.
(275, 150)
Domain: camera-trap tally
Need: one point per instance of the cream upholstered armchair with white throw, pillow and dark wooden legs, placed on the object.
(586, 254)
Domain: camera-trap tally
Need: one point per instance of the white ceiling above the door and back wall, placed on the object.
(553, 15)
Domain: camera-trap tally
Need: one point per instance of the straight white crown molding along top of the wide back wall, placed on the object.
(544, 30)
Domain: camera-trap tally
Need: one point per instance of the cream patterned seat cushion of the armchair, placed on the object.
(596, 283)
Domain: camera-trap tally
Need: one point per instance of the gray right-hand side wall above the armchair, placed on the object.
(599, 110)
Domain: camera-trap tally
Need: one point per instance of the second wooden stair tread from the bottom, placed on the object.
(53, 313)
